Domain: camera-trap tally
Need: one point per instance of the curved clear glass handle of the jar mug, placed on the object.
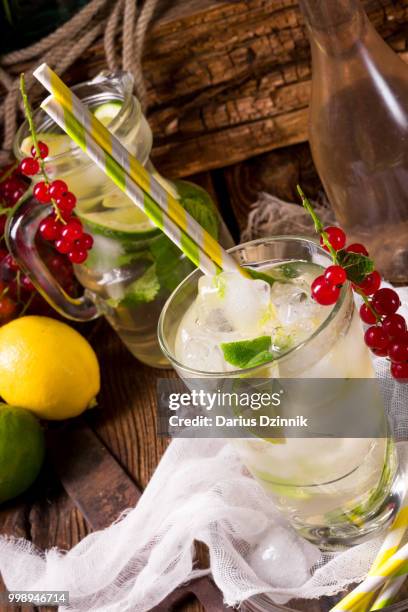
(21, 231)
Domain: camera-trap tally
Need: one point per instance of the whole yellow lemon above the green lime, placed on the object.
(47, 367)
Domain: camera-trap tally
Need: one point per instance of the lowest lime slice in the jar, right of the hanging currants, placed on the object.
(126, 221)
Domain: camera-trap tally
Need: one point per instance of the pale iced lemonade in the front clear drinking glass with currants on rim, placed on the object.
(333, 490)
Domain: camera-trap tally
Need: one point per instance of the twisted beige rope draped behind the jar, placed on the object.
(62, 48)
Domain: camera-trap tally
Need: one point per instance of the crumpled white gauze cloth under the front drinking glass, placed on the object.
(199, 492)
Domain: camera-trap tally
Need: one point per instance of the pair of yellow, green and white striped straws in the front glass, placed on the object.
(127, 172)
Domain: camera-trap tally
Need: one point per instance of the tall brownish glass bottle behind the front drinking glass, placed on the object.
(358, 129)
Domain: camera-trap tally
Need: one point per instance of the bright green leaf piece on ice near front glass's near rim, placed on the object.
(247, 353)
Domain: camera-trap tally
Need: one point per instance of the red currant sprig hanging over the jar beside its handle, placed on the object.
(60, 227)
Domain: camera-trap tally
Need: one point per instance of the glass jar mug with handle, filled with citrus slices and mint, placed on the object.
(133, 267)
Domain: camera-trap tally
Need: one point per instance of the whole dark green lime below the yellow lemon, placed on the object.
(22, 449)
